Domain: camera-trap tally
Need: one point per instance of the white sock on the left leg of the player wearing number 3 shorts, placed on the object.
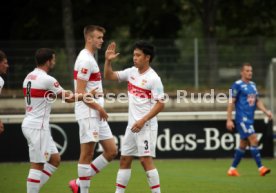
(122, 180)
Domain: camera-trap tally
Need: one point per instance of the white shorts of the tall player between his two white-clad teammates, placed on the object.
(93, 130)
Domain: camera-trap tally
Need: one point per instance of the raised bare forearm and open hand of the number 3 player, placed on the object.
(110, 54)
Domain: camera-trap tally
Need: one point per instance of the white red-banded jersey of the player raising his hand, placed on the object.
(143, 92)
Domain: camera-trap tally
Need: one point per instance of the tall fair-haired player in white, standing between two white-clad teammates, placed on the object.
(93, 126)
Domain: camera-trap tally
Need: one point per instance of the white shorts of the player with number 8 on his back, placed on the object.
(41, 144)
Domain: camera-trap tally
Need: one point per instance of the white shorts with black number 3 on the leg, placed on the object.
(140, 144)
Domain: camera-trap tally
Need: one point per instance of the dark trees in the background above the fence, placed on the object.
(144, 19)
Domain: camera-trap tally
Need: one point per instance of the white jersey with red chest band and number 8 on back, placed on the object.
(37, 88)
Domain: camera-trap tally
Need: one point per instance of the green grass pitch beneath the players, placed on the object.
(177, 176)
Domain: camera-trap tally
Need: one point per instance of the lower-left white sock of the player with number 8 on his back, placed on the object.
(33, 181)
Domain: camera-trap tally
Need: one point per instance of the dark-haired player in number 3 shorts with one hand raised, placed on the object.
(145, 95)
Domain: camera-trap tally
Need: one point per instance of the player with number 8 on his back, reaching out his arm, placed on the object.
(38, 87)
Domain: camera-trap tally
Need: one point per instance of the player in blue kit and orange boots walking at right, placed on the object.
(245, 99)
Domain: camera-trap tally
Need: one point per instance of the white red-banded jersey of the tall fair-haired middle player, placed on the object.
(86, 68)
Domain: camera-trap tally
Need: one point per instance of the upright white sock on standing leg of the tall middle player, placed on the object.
(84, 172)
